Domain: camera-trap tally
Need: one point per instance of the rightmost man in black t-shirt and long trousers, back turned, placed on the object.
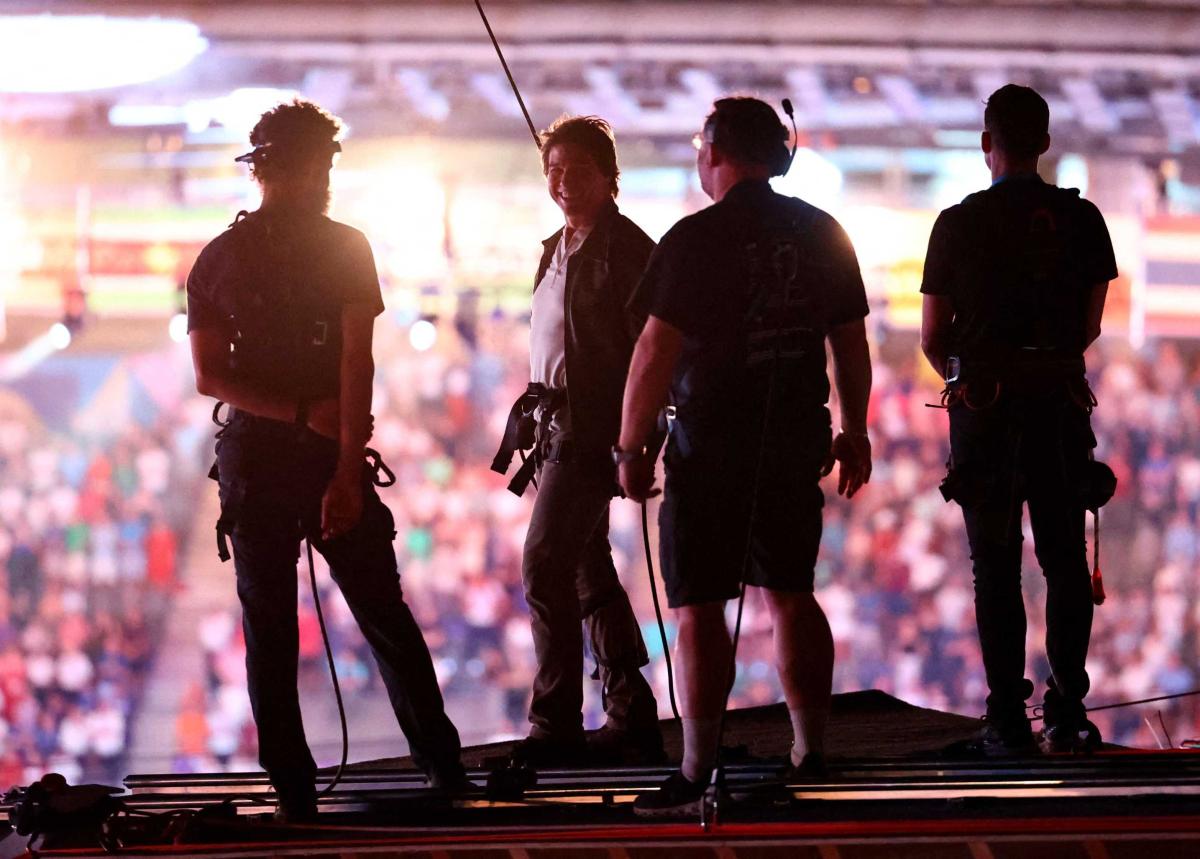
(1015, 287)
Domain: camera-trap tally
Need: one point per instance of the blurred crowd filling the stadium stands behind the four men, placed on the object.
(91, 530)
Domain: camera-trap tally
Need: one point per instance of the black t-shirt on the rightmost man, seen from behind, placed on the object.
(1018, 263)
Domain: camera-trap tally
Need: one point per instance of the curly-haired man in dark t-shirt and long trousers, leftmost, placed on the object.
(281, 309)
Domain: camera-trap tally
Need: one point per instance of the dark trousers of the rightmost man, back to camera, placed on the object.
(1027, 450)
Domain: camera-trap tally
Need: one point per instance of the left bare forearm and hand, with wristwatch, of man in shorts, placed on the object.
(653, 364)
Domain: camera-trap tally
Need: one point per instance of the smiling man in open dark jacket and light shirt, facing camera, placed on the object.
(581, 341)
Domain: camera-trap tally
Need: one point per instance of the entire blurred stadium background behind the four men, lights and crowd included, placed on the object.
(121, 641)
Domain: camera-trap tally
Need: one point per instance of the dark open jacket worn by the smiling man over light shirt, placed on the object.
(601, 329)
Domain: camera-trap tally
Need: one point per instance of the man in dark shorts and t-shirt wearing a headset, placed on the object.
(741, 301)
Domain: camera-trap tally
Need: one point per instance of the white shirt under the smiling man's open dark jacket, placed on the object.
(548, 325)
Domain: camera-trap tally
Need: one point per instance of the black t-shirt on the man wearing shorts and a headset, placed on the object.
(755, 284)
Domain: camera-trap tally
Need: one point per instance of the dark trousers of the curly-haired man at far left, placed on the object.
(275, 477)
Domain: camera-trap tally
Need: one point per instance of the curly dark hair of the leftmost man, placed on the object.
(290, 134)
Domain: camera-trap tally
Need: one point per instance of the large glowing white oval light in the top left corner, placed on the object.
(53, 53)
